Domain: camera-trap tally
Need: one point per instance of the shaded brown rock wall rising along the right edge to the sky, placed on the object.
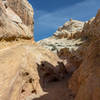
(85, 82)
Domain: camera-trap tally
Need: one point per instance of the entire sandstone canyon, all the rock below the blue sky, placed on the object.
(30, 72)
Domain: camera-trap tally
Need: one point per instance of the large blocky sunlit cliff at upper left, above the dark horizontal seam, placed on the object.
(16, 19)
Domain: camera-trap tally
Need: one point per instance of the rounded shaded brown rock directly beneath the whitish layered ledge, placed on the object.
(72, 60)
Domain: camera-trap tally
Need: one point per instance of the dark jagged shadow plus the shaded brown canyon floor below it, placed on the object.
(54, 81)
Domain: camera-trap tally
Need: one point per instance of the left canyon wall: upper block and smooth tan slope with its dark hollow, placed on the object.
(24, 65)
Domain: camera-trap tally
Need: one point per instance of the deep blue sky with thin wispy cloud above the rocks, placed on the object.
(50, 14)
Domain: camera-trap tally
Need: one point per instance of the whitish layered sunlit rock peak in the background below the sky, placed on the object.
(64, 37)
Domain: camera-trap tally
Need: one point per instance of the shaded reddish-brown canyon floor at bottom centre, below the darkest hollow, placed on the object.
(56, 90)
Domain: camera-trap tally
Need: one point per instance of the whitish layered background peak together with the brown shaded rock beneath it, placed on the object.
(64, 44)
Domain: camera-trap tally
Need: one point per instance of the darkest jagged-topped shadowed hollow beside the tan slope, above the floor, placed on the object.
(49, 73)
